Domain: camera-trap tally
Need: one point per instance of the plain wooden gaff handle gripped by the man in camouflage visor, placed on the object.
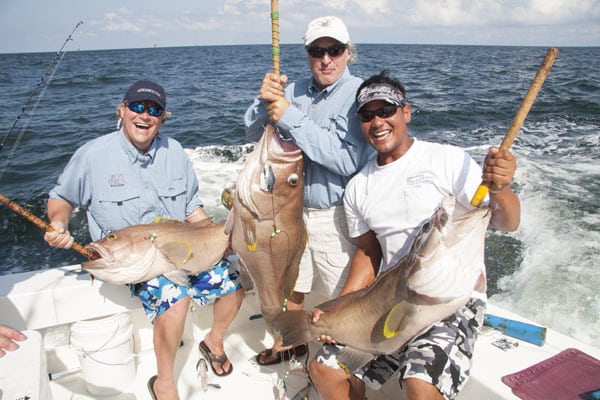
(517, 122)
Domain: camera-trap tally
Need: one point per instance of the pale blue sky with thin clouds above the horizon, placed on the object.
(44, 25)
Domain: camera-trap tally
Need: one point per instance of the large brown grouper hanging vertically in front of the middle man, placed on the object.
(265, 222)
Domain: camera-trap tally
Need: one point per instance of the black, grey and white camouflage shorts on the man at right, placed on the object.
(441, 355)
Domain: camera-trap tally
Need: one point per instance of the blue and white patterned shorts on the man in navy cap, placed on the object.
(158, 294)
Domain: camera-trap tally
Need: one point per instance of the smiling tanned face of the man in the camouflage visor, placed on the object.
(389, 136)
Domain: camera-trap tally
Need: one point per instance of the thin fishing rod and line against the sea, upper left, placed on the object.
(36, 95)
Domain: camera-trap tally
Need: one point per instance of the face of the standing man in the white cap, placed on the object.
(327, 70)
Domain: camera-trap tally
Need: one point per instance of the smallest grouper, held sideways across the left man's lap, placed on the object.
(167, 247)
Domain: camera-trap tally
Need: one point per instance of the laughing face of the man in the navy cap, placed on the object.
(140, 129)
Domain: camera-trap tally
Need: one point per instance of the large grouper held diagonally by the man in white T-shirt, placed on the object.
(432, 281)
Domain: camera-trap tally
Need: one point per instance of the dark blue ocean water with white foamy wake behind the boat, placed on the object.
(463, 95)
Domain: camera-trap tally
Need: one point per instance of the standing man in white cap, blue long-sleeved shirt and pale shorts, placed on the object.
(318, 114)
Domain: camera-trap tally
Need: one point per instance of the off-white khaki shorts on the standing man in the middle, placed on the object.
(329, 250)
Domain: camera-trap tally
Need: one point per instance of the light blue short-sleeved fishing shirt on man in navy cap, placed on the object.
(119, 186)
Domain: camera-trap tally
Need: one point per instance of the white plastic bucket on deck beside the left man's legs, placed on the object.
(105, 350)
